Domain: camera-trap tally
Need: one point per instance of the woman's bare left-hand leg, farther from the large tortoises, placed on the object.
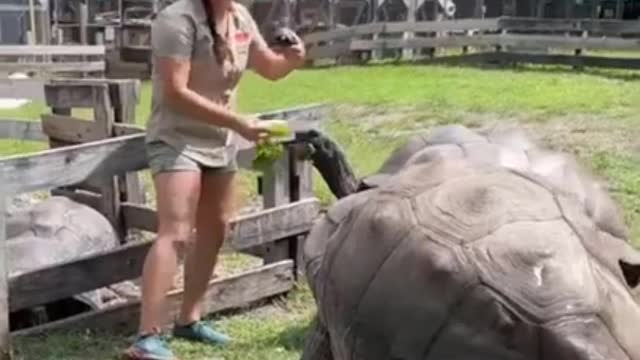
(177, 202)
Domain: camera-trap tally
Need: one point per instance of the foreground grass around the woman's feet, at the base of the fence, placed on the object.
(275, 333)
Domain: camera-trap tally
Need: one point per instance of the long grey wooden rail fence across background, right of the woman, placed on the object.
(505, 39)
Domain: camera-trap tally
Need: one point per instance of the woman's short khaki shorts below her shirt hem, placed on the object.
(164, 158)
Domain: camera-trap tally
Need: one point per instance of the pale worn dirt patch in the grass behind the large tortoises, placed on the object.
(578, 134)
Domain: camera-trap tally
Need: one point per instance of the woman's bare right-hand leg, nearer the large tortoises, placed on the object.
(215, 209)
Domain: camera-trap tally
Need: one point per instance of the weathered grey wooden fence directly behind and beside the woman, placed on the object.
(97, 162)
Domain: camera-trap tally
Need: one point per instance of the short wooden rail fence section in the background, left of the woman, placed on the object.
(53, 60)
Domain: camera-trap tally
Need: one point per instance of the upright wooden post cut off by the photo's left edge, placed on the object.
(5, 341)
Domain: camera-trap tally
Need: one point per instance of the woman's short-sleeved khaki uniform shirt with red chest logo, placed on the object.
(181, 31)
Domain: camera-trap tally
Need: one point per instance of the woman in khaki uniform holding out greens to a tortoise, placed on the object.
(200, 50)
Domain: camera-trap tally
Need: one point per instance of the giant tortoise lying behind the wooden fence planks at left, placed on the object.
(51, 232)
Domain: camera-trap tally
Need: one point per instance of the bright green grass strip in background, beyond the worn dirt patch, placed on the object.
(524, 90)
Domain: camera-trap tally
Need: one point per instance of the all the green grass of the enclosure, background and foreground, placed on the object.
(380, 107)
